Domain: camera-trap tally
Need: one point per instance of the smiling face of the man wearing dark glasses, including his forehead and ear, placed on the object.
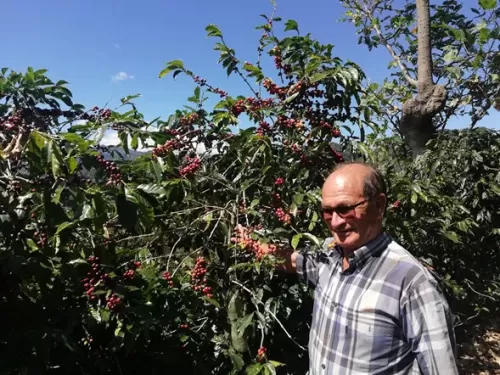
(353, 219)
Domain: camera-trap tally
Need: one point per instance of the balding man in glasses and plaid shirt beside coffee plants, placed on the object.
(377, 309)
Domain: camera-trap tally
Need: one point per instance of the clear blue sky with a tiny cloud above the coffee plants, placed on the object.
(108, 49)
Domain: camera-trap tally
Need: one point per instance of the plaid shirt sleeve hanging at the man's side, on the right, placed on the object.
(428, 327)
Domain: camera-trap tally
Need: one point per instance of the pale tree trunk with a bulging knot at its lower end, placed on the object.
(416, 121)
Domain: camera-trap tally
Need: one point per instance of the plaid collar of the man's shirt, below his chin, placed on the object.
(358, 258)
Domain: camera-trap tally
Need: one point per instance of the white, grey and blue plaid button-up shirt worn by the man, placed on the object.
(385, 314)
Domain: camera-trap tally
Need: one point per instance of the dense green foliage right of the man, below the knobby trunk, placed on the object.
(444, 209)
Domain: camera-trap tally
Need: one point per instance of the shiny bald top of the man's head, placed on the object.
(361, 178)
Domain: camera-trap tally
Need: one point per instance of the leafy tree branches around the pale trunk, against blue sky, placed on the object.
(465, 55)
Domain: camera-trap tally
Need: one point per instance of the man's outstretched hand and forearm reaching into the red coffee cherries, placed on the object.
(262, 249)
